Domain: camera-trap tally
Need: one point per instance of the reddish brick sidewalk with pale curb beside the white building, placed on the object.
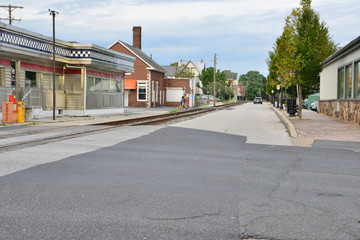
(314, 126)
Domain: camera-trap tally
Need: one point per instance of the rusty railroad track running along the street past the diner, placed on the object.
(77, 131)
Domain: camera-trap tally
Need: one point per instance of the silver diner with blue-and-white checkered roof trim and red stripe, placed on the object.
(89, 79)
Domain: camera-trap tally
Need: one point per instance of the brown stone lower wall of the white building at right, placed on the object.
(345, 110)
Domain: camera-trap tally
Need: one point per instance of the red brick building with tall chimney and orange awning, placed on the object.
(145, 87)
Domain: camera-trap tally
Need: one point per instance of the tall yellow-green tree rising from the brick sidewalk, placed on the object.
(298, 53)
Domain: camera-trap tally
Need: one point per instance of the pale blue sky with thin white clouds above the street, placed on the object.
(239, 32)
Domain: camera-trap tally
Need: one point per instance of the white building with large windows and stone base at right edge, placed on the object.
(340, 84)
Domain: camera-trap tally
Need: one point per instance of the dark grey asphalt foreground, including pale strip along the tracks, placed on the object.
(167, 182)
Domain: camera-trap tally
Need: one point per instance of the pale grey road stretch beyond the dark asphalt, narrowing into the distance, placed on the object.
(257, 122)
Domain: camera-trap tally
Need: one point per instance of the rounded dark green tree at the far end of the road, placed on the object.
(255, 84)
